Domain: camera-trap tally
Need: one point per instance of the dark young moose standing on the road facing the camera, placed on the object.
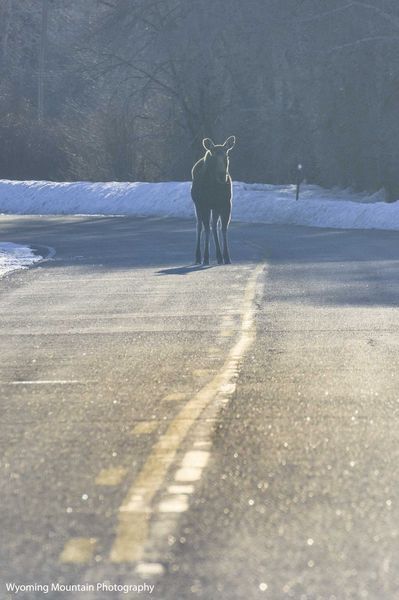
(211, 192)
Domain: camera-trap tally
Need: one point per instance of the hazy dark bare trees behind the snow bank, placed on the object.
(127, 89)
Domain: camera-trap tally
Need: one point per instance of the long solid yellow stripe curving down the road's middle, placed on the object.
(134, 514)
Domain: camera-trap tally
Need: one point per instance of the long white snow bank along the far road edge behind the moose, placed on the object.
(317, 207)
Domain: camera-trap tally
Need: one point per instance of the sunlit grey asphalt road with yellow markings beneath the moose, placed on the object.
(229, 432)
